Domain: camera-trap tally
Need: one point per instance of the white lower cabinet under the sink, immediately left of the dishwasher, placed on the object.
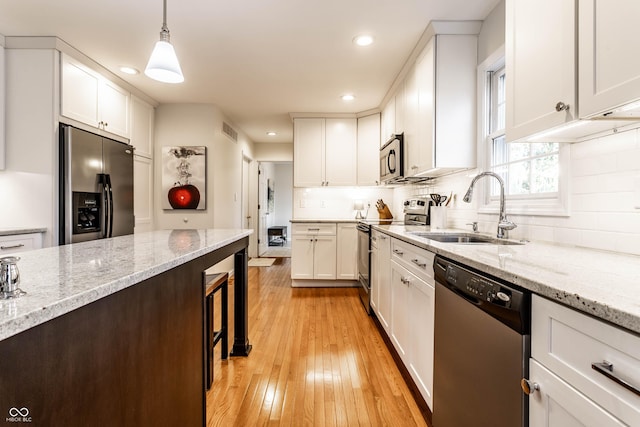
(412, 290)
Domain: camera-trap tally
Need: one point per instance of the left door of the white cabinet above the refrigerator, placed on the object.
(79, 92)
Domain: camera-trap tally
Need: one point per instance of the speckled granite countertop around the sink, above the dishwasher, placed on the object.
(603, 284)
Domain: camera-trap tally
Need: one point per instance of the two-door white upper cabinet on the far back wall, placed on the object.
(324, 152)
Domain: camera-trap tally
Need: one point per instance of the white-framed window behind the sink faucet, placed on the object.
(531, 171)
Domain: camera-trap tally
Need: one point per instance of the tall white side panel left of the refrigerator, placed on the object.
(29, 184)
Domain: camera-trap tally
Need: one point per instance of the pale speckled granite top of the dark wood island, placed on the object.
(61, 279)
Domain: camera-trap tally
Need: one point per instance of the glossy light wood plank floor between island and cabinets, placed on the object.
(317, 359)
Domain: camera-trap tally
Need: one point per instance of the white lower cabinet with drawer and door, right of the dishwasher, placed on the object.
(566, 346)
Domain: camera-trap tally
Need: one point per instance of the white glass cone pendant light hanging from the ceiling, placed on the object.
(163, 64)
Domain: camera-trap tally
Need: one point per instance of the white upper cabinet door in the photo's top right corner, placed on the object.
(609, 71)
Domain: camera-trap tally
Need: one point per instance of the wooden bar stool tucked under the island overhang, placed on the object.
(215, 283)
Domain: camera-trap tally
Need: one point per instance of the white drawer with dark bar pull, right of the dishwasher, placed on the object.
(568, 342)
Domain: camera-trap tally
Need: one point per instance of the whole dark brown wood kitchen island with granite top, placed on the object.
(111, 332)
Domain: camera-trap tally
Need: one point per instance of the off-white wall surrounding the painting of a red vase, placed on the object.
(201, 124)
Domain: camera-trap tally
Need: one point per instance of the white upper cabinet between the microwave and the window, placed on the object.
(440, 107)
